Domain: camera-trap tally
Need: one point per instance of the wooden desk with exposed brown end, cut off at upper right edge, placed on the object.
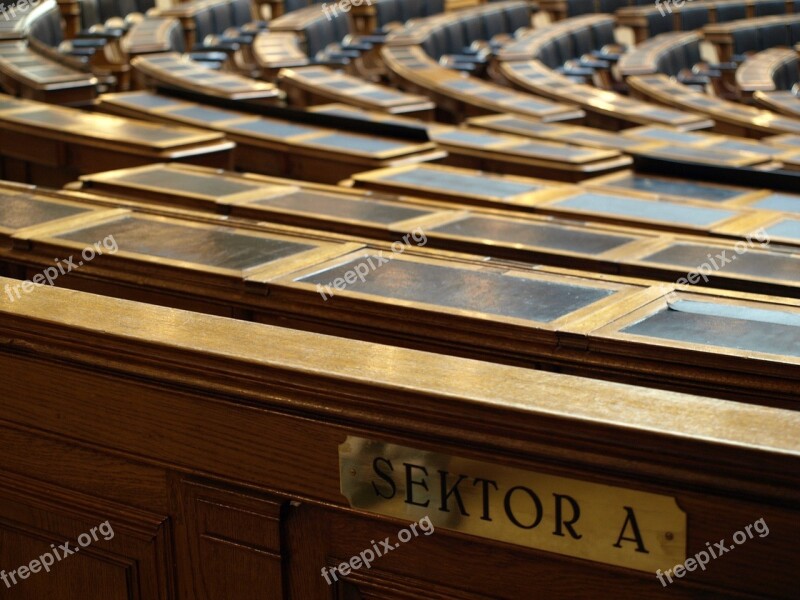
(737, 38)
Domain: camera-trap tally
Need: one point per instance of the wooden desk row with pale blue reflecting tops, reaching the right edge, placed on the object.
(679, 207)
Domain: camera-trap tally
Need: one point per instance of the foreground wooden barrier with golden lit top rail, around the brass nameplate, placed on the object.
(217, 400)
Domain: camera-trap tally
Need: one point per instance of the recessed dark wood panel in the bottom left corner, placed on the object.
(124, 553)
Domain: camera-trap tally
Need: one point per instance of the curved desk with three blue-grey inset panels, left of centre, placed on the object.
(274, 146)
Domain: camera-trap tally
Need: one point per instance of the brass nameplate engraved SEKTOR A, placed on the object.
(612, 525)
